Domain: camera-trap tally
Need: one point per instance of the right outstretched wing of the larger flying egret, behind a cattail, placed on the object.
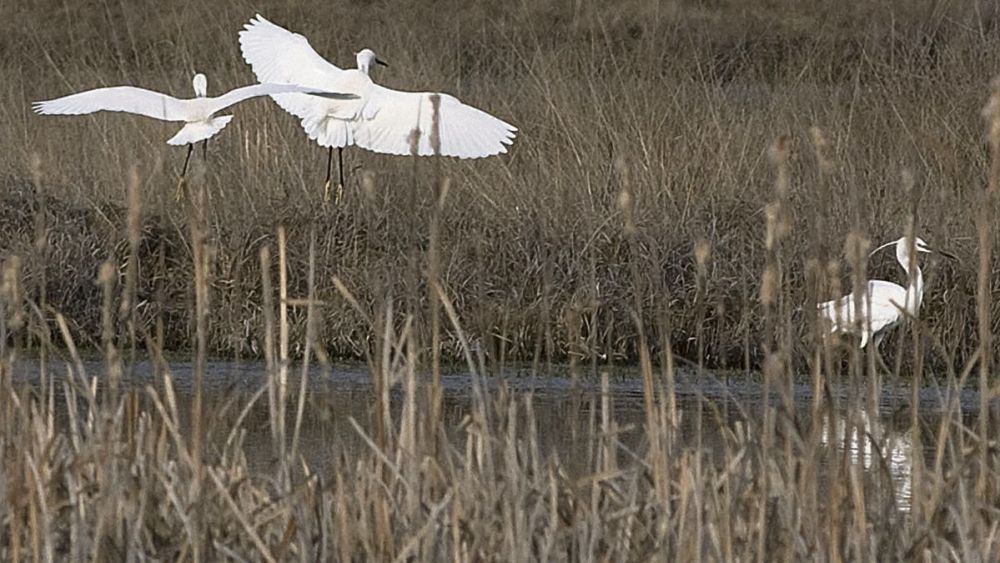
(390, 117)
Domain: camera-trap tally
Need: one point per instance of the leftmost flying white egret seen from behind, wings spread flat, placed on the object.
(197, 113)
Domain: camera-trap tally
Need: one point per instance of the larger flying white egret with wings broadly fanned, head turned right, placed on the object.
(380, 120)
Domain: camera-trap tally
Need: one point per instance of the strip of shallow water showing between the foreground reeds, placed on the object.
(567, 411)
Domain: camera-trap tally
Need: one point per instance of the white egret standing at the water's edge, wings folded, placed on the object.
(886, 304)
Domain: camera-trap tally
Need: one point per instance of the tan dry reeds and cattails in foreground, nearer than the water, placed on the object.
(98, 469)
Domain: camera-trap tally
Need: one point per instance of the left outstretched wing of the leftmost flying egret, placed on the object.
(127, 99)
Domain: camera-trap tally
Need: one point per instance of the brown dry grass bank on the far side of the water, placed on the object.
(681, 100)
